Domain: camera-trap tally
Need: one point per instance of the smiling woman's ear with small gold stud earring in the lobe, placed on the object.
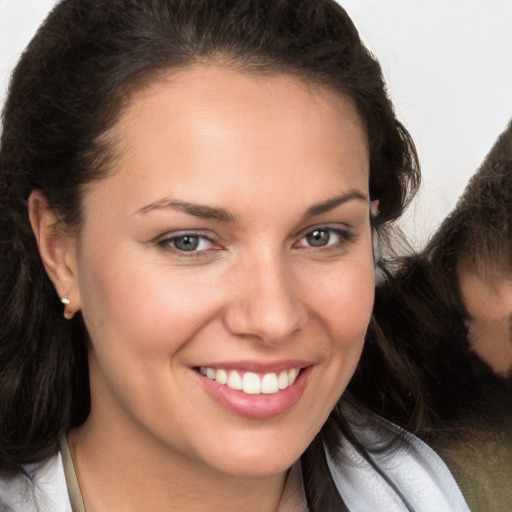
(57, 248)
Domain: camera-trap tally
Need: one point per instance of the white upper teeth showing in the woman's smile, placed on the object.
(252, 383)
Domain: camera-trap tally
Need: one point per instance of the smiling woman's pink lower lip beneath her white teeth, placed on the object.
(259, 406)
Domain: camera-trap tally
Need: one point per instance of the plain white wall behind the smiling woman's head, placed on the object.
(448, 64)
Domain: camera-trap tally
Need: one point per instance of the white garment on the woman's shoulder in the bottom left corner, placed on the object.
(43, 489)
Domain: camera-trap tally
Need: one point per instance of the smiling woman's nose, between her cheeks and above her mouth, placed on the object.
(265, 303)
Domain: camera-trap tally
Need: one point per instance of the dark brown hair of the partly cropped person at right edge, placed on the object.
(419, 307)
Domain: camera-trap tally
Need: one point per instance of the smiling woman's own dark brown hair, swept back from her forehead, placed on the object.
(68, 90)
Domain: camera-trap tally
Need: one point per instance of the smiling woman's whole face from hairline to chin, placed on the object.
(230, 248)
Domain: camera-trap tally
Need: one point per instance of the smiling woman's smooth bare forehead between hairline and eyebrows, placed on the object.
(206, 126)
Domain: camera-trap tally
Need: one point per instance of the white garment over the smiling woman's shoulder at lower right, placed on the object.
(415, 469)
